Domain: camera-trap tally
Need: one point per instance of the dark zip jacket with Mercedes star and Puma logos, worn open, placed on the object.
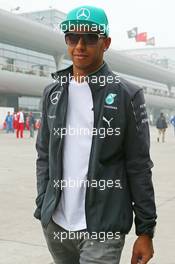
(120, 158)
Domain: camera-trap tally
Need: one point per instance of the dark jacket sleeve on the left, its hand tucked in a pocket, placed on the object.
(42, 162)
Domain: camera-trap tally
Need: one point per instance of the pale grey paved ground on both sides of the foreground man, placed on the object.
(21, 239)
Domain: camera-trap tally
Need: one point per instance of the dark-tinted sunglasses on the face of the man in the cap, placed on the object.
(72, 38)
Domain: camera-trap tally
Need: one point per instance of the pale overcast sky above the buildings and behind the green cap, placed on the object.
(153, 16)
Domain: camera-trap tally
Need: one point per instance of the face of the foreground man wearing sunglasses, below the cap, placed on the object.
(85, 56)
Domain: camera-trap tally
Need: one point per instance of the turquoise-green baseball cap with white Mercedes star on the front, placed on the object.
(86, 17)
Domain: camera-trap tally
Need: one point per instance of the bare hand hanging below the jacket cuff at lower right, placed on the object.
(142, 250)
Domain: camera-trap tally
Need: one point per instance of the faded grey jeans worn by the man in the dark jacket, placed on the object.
(81, 250)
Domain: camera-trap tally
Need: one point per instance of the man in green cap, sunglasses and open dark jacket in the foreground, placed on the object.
(93, 165)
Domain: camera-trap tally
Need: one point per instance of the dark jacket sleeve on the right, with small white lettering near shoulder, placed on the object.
(138, 166)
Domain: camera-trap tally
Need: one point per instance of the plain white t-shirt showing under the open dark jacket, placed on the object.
(70, 212)
